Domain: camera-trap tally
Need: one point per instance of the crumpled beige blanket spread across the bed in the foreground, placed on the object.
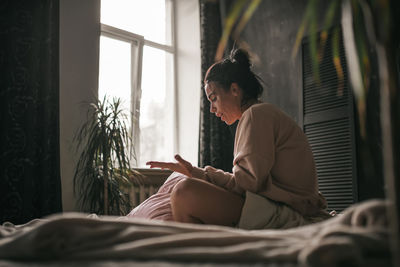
(349, 239)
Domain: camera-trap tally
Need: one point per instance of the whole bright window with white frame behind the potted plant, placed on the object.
(137, 65)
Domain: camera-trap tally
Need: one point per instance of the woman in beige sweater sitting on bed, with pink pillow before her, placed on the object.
(273, 163)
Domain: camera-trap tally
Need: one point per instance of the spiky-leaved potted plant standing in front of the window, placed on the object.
(103, 169)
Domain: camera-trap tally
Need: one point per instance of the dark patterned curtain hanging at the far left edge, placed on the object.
(30, 184)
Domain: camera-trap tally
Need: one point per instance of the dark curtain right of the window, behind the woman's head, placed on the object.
(216, 138)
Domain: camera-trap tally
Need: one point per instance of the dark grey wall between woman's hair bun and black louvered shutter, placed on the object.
(271, 34)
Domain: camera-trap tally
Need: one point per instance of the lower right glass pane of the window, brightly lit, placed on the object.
(156, 110)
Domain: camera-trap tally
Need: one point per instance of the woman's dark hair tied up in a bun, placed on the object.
(236, 69)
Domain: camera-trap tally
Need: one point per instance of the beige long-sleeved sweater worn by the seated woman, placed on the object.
(272, 158)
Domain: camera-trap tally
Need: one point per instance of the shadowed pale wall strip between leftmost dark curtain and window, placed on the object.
(79, 57)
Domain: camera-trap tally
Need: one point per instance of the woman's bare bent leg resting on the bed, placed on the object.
(197, 201)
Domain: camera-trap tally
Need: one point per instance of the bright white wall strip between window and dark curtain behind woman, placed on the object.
(187, 29)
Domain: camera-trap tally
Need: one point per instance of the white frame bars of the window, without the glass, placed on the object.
(137, 43)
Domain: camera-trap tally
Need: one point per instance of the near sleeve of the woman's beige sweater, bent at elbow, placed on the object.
(254, 157)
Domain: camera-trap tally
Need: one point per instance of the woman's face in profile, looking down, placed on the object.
(225, 104)
